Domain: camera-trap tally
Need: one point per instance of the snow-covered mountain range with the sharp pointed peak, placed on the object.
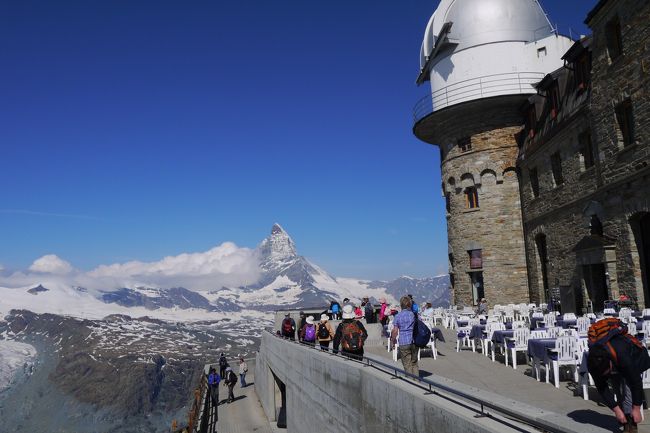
(286, 280)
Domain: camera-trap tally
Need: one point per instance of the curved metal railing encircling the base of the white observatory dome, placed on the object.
(512, 83)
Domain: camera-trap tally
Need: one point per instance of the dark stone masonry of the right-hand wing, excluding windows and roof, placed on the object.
(615, 190)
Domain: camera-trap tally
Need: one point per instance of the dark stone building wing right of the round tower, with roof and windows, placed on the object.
(583, 166)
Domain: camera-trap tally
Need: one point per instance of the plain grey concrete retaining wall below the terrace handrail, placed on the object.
(326, 393)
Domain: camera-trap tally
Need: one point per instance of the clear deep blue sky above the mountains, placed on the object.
(137, 130)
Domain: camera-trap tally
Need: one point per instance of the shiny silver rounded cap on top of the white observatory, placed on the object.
(478, 22)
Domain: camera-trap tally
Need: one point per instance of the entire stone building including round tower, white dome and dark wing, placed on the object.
(544, 170)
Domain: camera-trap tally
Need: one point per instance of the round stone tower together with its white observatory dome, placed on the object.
(482, 58)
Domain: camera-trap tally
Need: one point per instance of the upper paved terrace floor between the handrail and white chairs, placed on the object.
(479, 371)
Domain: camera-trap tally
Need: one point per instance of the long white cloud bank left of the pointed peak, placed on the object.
(223, 265)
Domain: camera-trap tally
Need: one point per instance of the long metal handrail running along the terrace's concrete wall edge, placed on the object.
(433, 386)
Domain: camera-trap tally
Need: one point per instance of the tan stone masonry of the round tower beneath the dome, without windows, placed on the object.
(495, 225)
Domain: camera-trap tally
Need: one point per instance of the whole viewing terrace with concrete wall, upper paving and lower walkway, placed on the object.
(299, 387)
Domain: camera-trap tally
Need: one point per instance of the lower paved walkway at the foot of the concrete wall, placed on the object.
(245, 414)
